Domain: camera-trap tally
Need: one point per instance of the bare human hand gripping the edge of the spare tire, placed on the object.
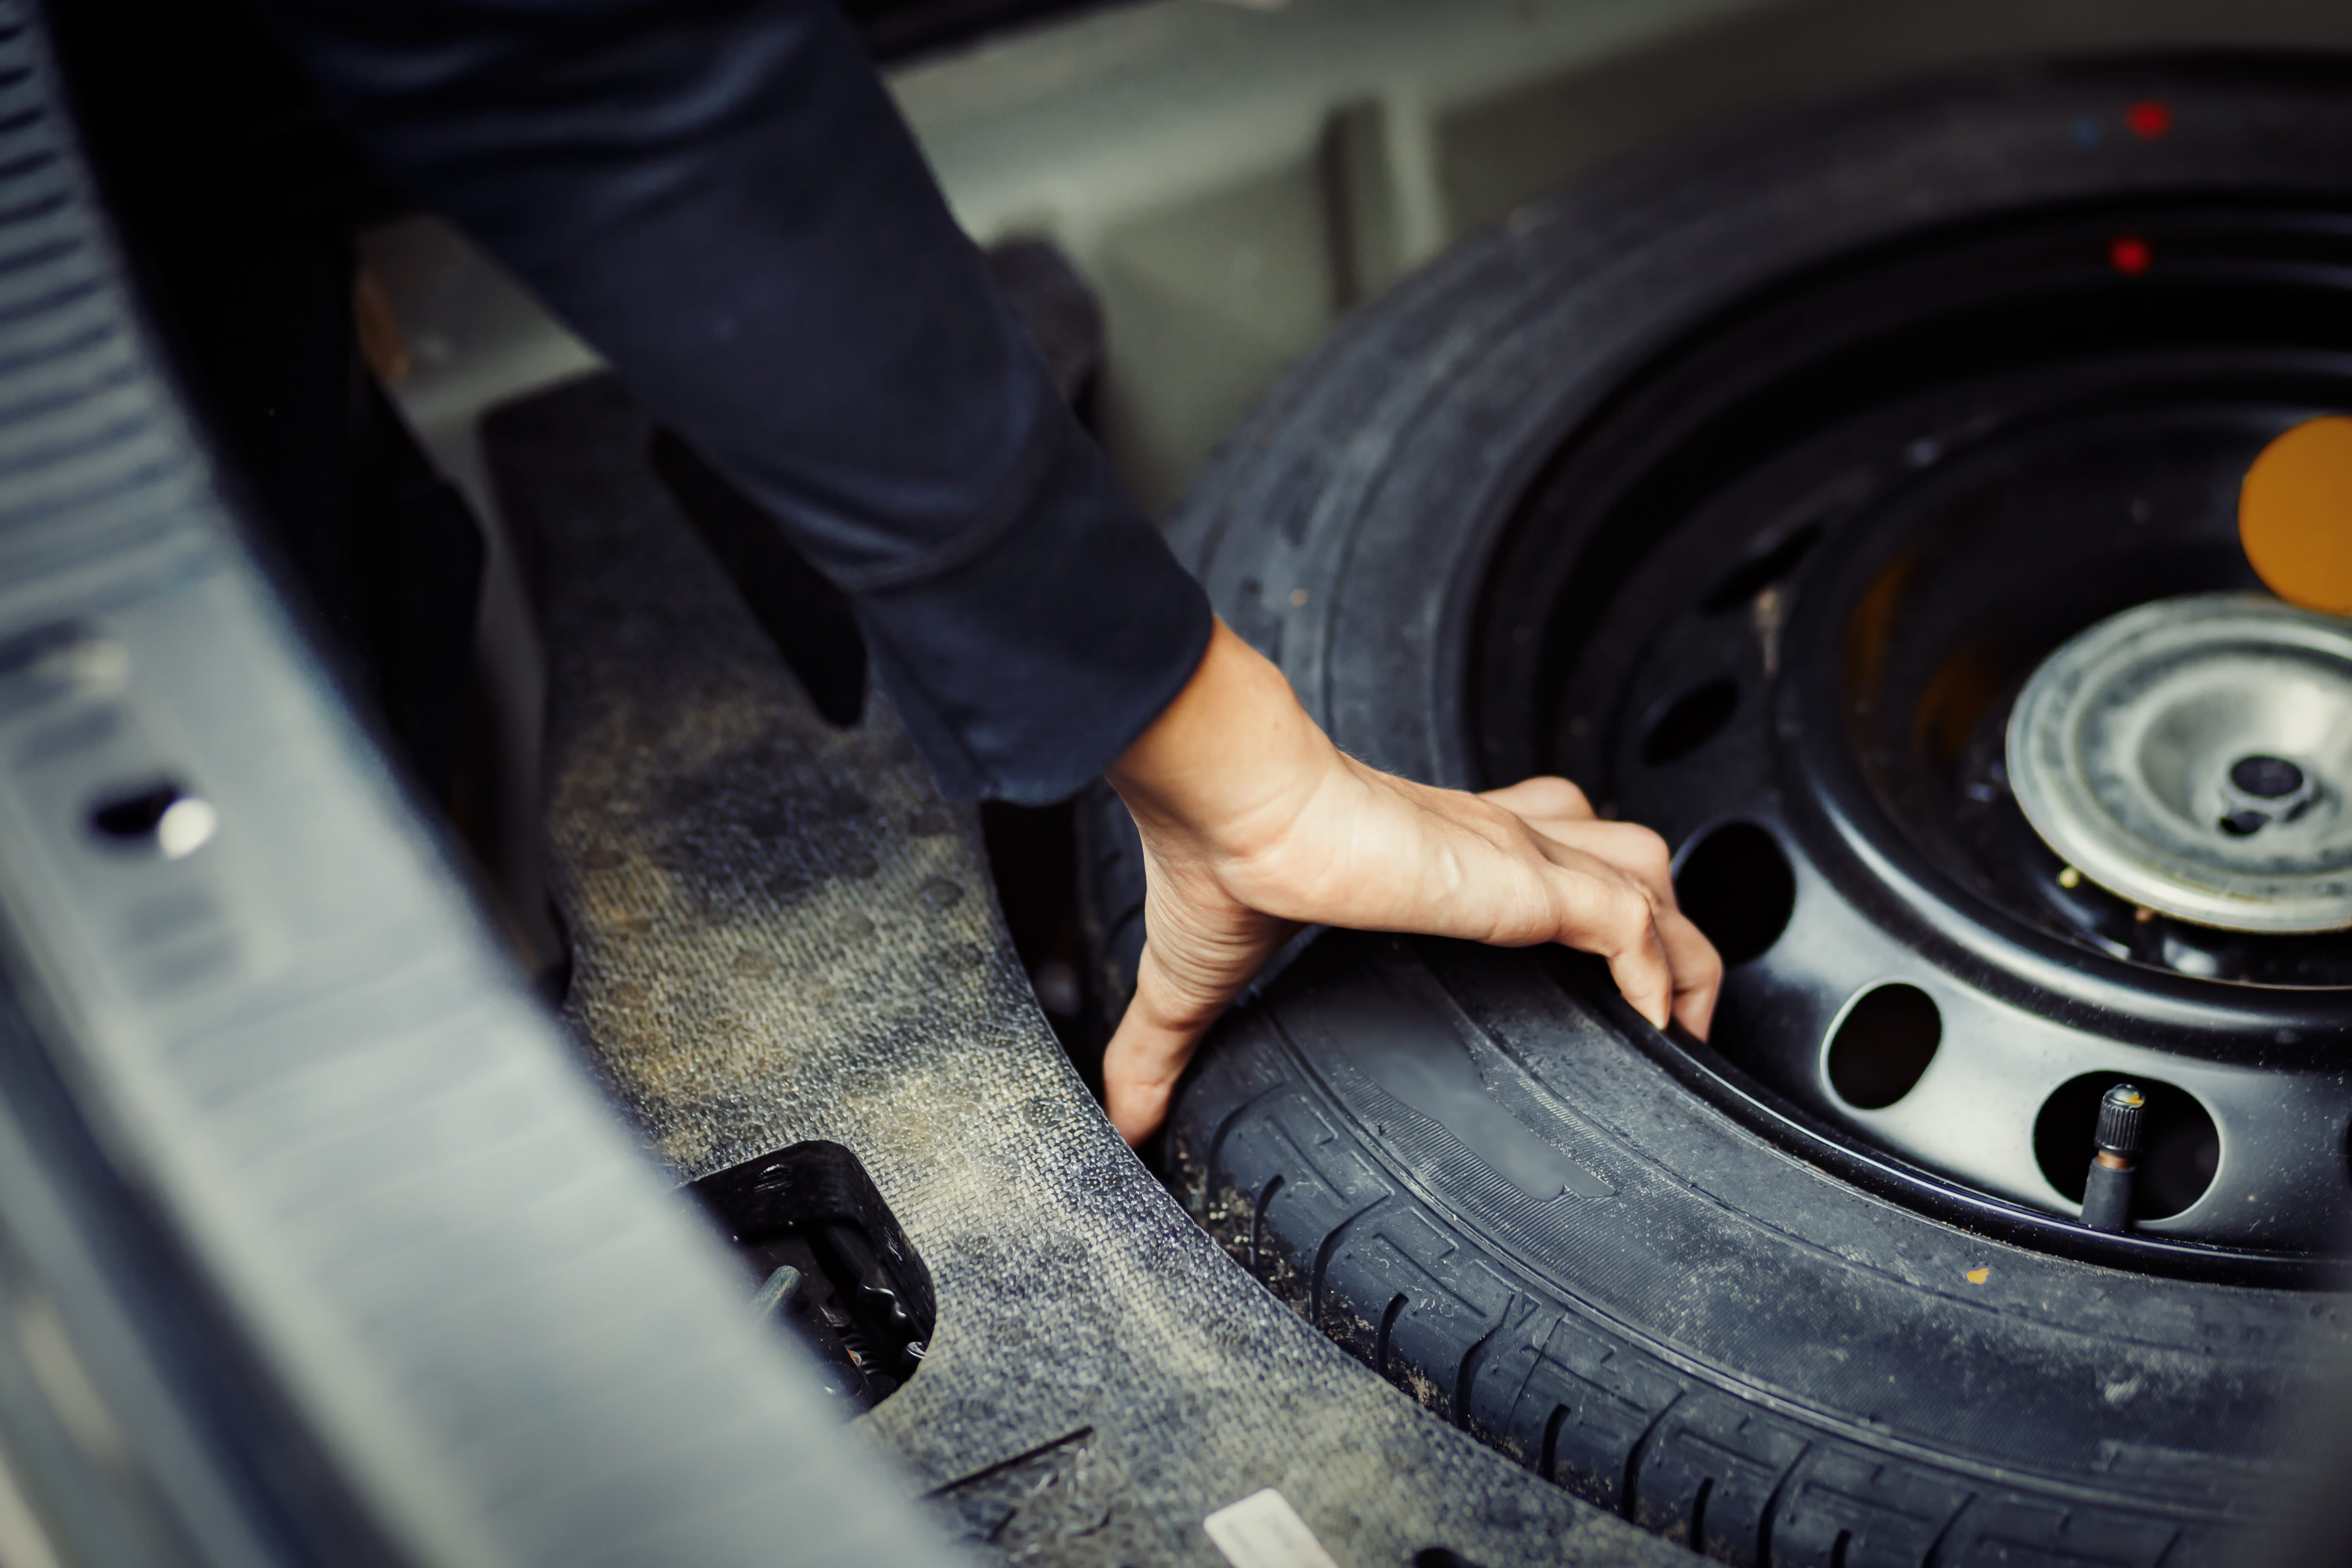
(1257, 826)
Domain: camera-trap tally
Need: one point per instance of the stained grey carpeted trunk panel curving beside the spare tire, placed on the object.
(782, 932)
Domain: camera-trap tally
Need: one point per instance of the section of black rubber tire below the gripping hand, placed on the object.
(1704, 1334)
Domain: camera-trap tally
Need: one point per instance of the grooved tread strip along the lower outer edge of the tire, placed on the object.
(1299, 1202)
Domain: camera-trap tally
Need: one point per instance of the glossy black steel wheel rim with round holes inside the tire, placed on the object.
(1779, 601)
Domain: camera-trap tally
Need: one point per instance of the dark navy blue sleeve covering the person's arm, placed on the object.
(723, 201)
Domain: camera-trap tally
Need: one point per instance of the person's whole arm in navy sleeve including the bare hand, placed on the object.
(721, 199)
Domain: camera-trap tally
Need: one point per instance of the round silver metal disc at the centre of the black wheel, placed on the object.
(2196, 758)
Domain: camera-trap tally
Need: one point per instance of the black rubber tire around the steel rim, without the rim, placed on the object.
(1476, 1170)
